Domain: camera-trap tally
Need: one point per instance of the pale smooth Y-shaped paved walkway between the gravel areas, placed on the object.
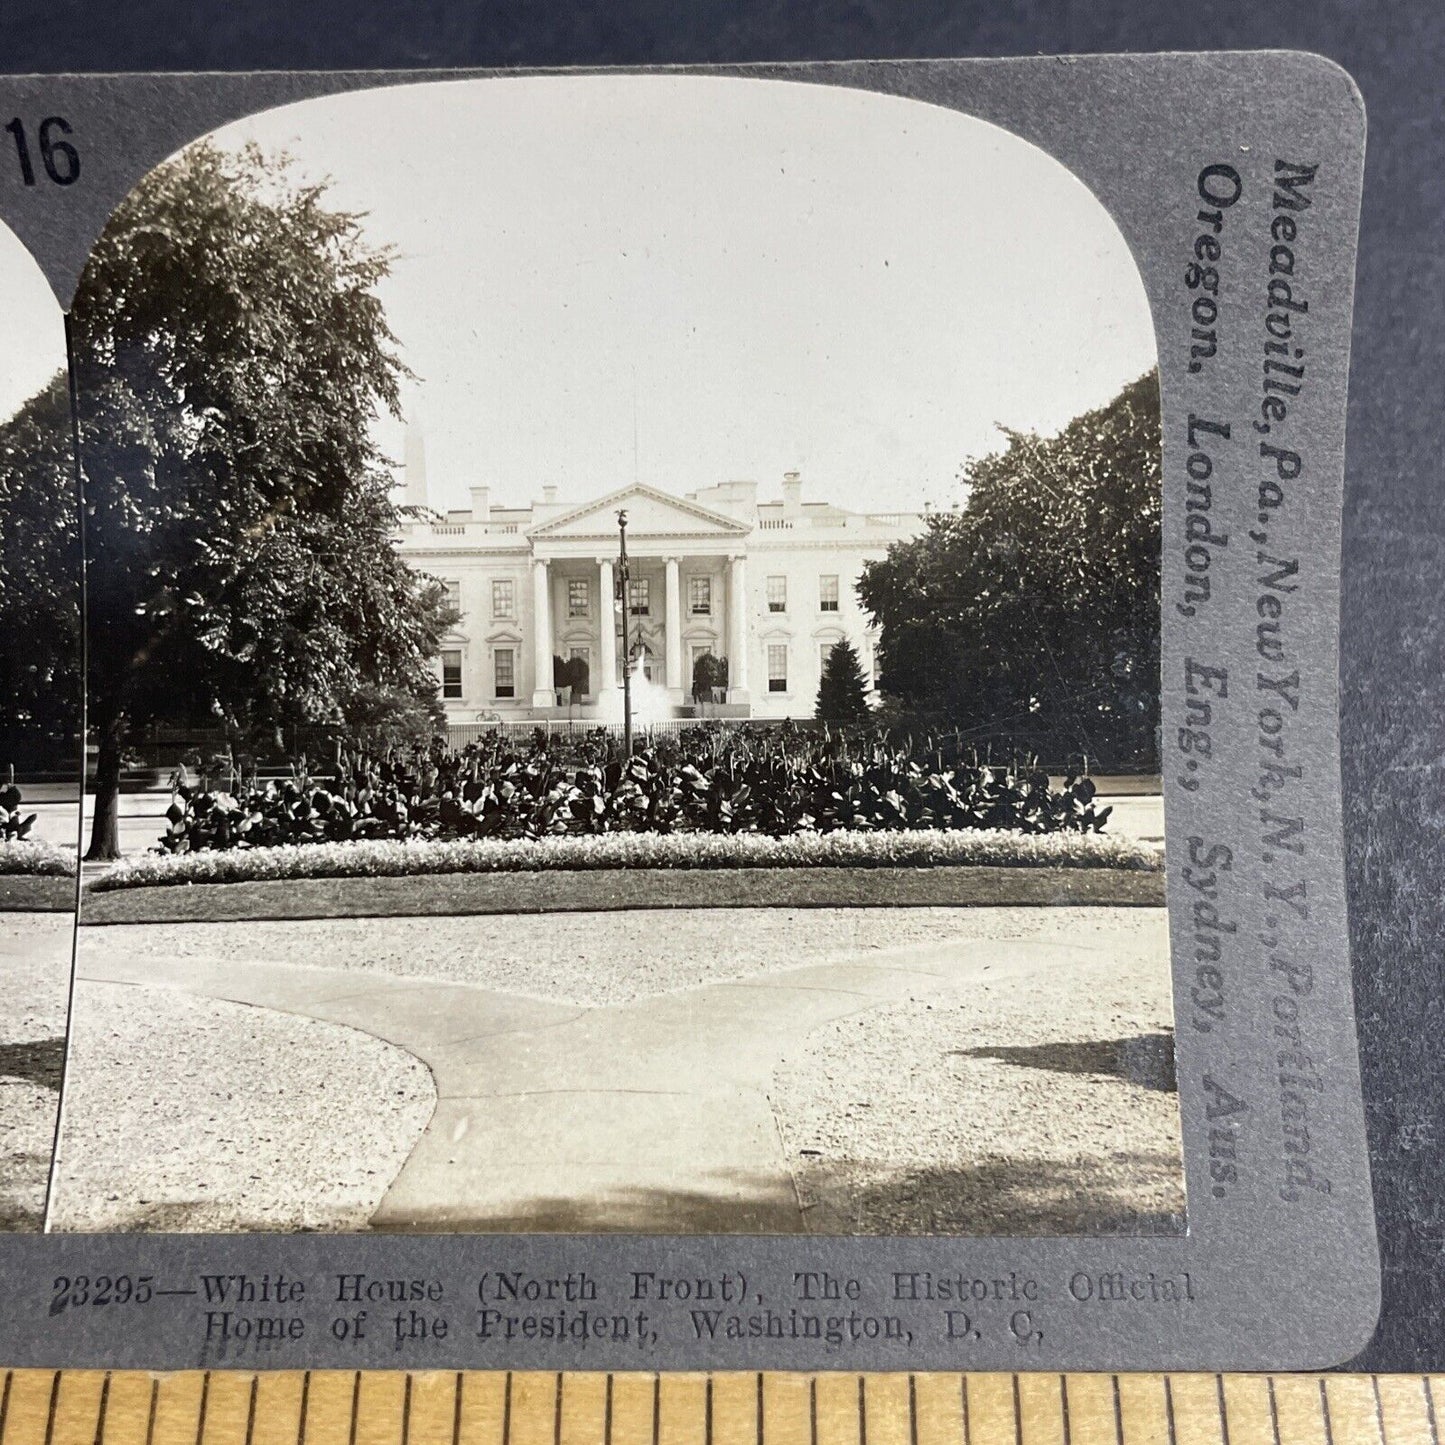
(650, 1115)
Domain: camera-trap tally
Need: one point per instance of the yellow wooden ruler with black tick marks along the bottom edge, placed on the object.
(376, 1408)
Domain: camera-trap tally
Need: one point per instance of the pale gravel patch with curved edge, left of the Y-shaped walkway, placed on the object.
(193, 1115)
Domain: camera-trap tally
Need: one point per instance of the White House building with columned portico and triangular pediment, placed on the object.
(767, 586)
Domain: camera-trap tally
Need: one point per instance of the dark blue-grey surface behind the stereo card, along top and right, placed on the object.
(1394, 660)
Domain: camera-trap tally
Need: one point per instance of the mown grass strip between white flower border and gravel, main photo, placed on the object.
(463, 894)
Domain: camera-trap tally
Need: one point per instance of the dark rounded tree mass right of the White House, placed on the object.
(1030, 618)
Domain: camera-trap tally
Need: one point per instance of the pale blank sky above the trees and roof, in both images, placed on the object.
(691, 280)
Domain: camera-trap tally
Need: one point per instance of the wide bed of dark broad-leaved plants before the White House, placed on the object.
(706, 780)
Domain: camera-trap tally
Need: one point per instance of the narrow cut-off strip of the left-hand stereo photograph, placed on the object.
(40, 729)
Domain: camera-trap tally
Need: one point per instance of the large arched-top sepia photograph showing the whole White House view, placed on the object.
(622, 676)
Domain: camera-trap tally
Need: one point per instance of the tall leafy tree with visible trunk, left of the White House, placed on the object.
(232, 356)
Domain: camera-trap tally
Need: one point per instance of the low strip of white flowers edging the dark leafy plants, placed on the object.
(385, 859)
